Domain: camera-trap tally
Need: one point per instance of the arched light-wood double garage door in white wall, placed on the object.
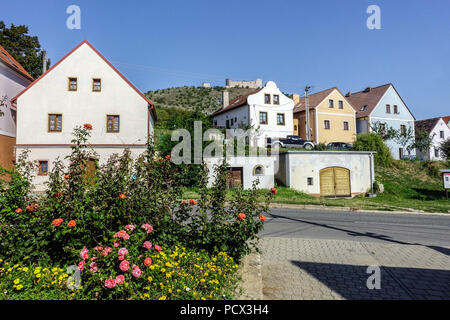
(335, 182)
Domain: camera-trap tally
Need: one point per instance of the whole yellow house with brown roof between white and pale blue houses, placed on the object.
(331, 117)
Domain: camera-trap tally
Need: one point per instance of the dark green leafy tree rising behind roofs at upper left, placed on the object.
(23, 47)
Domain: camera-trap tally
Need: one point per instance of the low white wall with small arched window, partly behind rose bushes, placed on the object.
(248, 163)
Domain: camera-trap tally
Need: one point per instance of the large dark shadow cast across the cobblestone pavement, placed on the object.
(350, 281)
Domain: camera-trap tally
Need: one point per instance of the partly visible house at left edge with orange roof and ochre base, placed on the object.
(13, 79)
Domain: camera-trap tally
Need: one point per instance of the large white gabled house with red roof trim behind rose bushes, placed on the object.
(83, 87)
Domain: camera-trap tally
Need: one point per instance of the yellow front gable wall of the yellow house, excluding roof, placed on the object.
(337, 116)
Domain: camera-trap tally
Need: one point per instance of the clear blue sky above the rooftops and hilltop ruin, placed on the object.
(160, 44)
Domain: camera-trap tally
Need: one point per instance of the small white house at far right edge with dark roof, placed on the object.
(439, 131)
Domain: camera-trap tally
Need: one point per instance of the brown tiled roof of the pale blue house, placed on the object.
(368, 98)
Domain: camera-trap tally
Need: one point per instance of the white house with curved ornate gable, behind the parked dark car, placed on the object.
(267, 111)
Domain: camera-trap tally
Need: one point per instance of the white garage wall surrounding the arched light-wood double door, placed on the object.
(297, 166)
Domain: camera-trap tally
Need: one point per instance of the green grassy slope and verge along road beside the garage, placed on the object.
(408, 185)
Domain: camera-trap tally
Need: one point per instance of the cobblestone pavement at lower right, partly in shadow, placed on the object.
(294, 268)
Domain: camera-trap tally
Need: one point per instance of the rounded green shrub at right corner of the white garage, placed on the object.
(373, 142)
